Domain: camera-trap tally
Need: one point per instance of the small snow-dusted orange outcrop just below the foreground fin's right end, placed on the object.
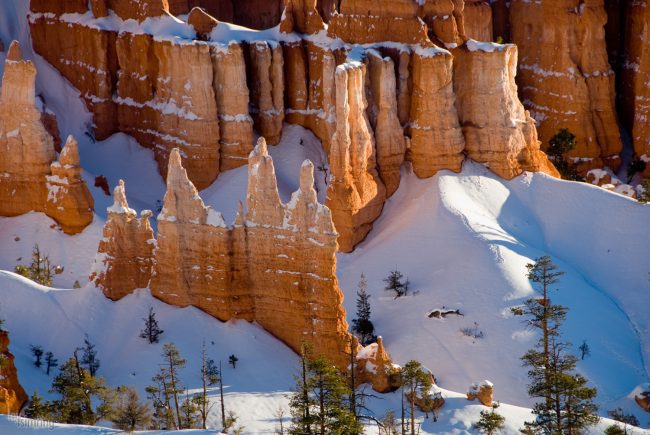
(375, 367)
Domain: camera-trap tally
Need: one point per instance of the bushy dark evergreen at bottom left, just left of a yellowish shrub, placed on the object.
(78, 392)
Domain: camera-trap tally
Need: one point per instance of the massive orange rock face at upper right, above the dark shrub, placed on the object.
(564, 76)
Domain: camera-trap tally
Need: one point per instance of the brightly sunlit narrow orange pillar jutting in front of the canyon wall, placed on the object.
(355, 194)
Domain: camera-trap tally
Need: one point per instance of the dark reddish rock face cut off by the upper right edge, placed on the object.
(635, 77)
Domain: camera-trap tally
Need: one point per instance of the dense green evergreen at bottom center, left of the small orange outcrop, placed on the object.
(318, 405)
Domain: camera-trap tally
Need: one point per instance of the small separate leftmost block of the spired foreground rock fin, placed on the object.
(125, 253)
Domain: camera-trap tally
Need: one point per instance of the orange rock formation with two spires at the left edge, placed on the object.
(30, 178)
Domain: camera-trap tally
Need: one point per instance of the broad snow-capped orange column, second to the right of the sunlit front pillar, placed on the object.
(436, 138)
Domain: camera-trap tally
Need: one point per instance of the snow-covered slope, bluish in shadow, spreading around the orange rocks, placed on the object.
(462, 239)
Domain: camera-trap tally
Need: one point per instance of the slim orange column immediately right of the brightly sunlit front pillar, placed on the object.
(389, 136)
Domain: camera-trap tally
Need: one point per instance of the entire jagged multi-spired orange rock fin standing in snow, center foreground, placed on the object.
(227, 270)
